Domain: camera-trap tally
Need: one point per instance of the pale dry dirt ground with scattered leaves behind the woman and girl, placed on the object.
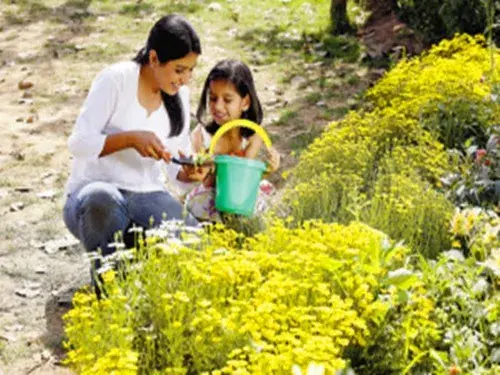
(40, 96)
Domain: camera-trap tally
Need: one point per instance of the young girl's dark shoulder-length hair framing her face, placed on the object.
(240, 76)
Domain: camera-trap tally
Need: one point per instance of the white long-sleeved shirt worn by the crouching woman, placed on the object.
(112, 107)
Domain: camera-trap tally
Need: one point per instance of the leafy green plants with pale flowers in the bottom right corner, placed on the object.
(447, 321)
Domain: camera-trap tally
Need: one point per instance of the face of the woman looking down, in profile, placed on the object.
(173, 74)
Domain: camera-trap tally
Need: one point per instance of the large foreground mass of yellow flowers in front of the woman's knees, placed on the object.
(284, 298)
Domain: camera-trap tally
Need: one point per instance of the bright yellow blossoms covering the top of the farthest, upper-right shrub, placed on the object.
(457, 68)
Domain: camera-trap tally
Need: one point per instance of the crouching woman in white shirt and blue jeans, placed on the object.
(135, 117)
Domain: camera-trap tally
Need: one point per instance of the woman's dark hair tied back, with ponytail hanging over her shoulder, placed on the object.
(172, 37)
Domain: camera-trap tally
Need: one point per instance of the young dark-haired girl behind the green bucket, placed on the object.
(231, 95)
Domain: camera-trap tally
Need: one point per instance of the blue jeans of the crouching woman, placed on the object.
(97, 211)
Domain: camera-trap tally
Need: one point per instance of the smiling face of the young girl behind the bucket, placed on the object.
(225, 103)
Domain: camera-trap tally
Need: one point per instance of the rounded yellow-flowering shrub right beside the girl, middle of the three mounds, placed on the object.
(346, 174)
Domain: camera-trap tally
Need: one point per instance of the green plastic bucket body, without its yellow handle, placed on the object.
(238, 181)
